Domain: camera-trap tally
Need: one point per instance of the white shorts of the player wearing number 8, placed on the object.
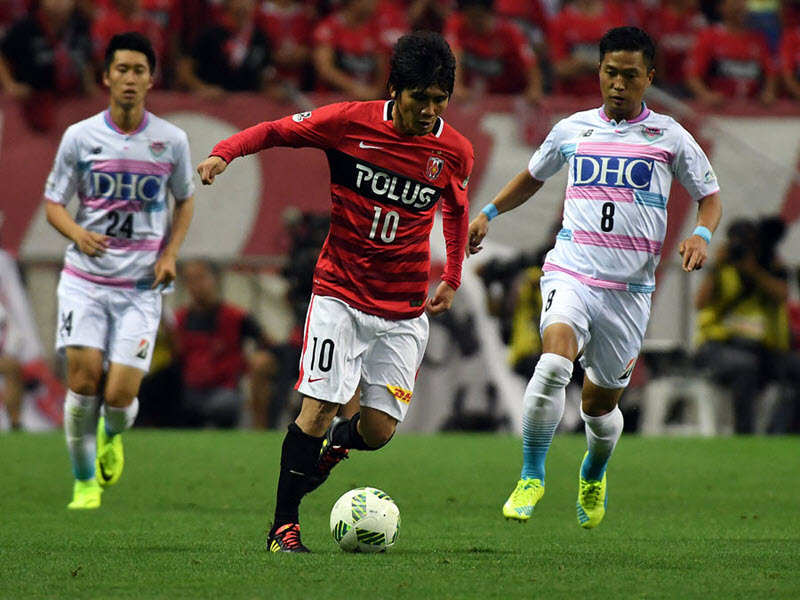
(609, 325)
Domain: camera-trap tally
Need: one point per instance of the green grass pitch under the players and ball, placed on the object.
(687, 518)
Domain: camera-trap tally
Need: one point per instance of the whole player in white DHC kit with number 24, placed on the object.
(122, 163)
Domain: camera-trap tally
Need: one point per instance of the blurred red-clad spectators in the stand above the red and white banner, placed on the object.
(712, 50)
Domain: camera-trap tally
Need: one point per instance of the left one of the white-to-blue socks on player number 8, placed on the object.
(543, 407)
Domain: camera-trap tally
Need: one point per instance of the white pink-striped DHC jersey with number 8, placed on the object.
(615, 210)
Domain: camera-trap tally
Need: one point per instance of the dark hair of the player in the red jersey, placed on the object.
(422, 59)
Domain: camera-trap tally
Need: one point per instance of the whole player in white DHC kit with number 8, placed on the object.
(598, 279)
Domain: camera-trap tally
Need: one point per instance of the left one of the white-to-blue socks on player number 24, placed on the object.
(79, 424)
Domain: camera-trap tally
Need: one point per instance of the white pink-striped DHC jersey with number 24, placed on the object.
(122, 181)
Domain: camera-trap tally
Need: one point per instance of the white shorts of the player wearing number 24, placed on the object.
(121, 322)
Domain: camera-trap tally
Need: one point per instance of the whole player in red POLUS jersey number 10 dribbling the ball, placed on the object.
(390, 163)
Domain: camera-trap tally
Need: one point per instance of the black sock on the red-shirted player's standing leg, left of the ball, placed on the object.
(298, 457)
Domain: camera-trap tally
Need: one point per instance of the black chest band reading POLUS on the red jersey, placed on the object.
(381, 185)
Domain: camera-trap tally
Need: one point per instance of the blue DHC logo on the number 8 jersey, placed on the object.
(613, 171)
